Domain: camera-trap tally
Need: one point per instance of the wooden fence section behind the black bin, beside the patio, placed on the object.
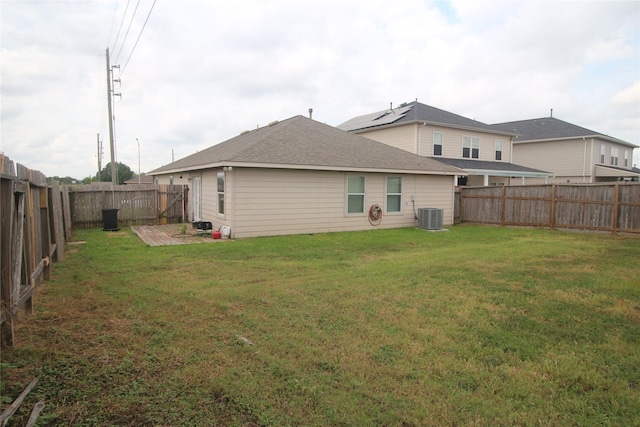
(135, 204)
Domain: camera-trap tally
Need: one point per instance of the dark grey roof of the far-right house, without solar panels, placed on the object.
(549, 128)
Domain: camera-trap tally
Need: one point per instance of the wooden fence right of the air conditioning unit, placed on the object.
(611, 207)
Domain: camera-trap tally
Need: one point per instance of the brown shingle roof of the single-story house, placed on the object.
(303, 143)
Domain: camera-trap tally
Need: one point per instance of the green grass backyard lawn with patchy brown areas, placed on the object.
(477, 326)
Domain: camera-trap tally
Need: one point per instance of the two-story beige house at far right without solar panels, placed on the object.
(574, 154)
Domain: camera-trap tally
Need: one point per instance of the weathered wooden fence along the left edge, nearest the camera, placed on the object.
(34, 226)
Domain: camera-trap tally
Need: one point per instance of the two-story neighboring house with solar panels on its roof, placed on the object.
(483, 151)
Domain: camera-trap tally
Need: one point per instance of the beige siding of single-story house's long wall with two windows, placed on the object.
(275, 202)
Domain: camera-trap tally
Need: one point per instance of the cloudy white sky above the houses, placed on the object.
(204, 71)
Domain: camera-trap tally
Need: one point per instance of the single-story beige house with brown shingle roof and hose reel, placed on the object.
(299, 176)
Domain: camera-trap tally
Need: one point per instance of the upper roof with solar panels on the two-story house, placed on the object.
(414, 112)
